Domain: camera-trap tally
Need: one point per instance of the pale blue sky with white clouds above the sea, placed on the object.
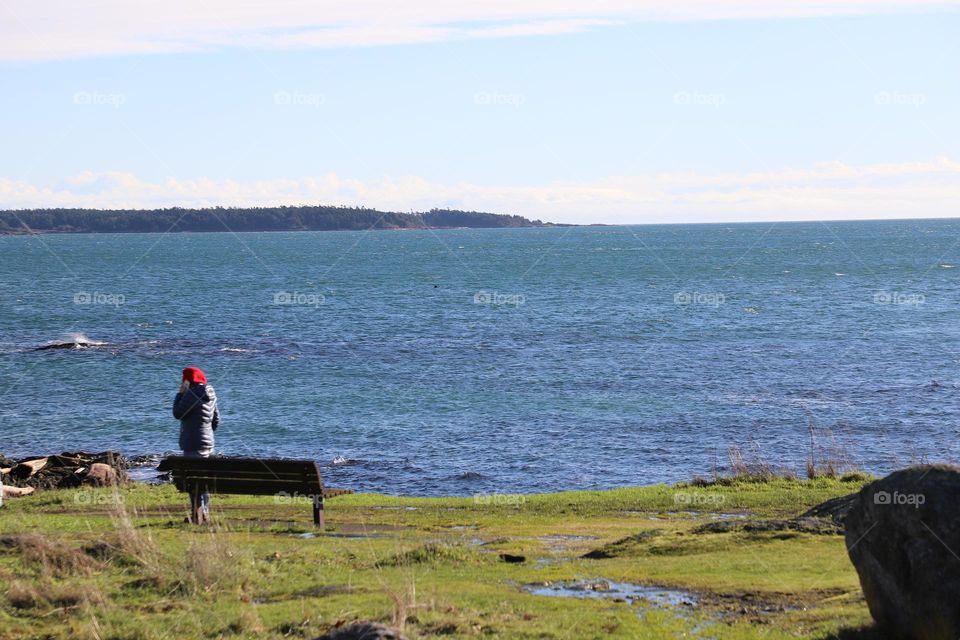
(608, 111)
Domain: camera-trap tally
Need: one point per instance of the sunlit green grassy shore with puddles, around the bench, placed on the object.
(121, 563)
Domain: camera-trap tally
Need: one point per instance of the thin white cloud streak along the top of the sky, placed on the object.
(52, 29)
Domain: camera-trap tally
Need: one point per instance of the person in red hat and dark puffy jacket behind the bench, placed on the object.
(196, 408)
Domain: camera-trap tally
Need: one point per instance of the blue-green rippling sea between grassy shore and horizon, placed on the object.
(482, 361)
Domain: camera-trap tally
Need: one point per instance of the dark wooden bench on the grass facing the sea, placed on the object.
(288, 479)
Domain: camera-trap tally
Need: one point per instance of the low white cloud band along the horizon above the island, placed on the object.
(830, 190)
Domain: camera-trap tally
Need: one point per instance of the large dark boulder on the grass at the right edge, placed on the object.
(903, 537)
